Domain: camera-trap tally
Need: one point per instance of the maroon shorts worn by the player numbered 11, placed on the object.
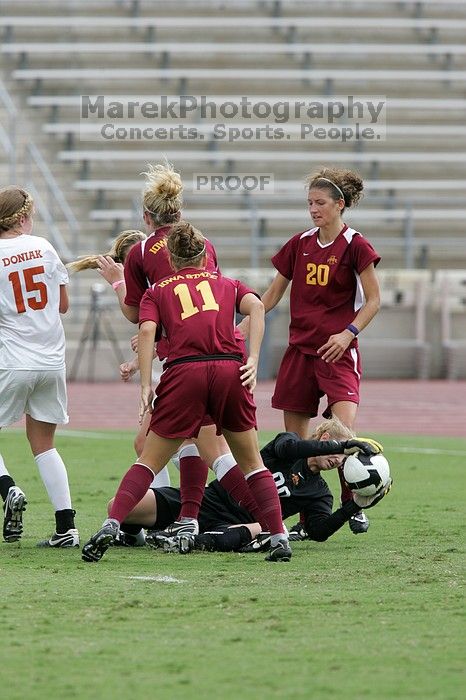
(191, 391)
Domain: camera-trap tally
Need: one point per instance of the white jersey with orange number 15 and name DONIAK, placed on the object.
(31, 331)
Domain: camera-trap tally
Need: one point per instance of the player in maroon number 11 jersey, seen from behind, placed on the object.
(204, 374)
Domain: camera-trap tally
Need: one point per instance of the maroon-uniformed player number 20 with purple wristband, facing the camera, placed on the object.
(334, 295)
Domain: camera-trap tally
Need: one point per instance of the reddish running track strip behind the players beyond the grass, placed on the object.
(409, 407)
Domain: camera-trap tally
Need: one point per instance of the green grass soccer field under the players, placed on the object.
(377, 616)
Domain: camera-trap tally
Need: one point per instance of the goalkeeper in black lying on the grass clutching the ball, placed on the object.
(296, 466)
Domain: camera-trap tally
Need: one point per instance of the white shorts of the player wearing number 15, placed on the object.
(40, 394)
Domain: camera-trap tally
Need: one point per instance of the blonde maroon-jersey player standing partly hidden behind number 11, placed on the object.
(146, 264)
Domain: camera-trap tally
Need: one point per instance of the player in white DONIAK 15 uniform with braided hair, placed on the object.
(33, 293)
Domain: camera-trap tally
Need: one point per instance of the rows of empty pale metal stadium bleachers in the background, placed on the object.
(412, 54)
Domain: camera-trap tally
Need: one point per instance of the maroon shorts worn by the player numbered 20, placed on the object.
(303, 379)
